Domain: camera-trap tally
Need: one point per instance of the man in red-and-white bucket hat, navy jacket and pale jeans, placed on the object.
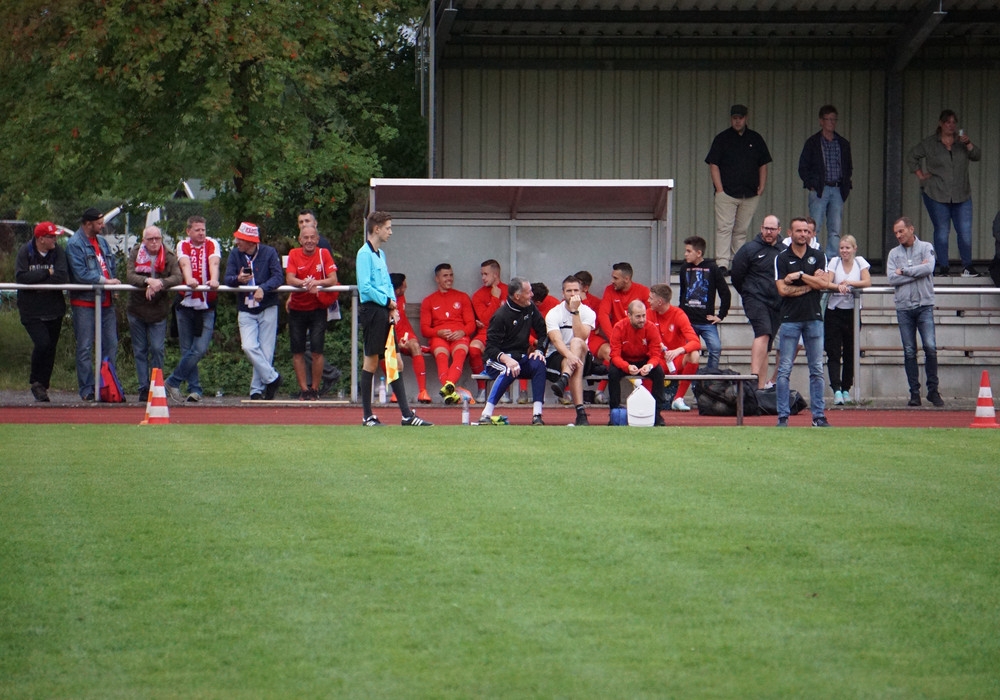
(254, 264)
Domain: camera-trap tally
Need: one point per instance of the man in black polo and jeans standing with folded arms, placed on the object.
(800, 275)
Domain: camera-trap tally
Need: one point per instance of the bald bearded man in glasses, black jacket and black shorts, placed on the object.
(753, 277)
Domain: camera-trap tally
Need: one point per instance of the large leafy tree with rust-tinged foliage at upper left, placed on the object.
(269, 103)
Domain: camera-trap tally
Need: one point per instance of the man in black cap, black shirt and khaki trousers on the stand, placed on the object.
(737, 162)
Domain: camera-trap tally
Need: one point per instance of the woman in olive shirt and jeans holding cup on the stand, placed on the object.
(941, 164)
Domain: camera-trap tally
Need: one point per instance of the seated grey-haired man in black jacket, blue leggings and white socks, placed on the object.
(507, 356)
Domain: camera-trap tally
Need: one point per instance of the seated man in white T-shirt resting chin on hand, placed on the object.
(569, 325)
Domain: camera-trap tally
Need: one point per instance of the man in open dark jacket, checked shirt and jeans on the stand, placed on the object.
(826, 168)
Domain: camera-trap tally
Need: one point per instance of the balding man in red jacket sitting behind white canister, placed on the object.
(634, 341)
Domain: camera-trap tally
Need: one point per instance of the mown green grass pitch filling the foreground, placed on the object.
(178, 561)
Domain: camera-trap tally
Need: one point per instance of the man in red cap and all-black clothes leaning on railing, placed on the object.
(42, 261)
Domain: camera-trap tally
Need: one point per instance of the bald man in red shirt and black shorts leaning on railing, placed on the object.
(309, 268)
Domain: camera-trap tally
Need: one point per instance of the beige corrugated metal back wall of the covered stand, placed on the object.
(566, 122)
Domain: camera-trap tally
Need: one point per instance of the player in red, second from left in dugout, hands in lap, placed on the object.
(448, 323)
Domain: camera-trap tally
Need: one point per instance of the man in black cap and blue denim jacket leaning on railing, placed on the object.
(91, 262)
